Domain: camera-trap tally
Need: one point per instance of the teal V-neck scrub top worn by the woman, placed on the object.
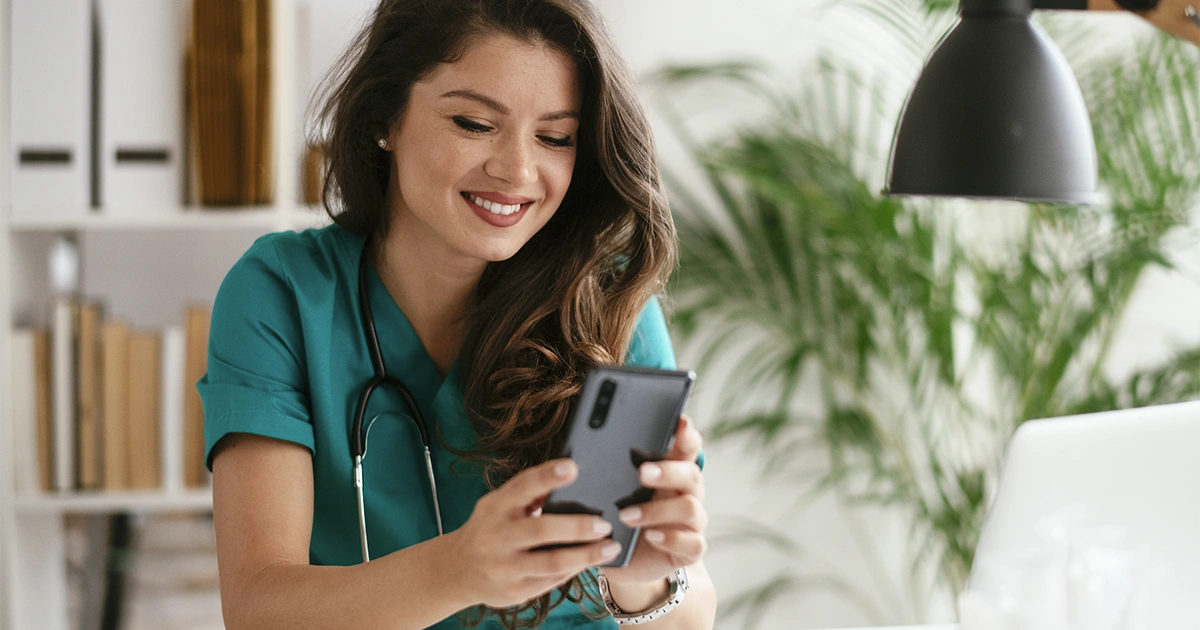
(289, 359)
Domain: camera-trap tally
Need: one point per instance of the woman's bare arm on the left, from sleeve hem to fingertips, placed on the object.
(262, 507)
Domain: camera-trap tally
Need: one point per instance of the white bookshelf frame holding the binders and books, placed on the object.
(34, 591)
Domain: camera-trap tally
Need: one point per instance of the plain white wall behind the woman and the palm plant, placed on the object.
(788, 34)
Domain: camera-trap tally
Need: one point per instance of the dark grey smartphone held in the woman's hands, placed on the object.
(625, 417)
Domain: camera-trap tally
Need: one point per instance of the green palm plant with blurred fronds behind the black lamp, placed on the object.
(878, 338)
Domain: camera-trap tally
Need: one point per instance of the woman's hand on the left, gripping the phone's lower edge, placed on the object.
(494, 551)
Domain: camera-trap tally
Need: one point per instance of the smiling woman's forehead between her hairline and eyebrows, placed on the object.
(523, 76)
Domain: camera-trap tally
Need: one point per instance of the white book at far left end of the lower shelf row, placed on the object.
(25, 413)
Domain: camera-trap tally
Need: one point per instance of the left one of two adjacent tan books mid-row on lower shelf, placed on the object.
(116, 357)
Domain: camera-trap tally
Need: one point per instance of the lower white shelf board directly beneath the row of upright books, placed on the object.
(115, 502)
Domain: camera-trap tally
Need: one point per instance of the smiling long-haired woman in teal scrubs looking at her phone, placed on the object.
(497, 207)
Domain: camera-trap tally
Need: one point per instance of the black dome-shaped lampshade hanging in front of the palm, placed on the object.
(997, 115)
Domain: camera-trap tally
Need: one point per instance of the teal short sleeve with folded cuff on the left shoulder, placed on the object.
(256, 379)
